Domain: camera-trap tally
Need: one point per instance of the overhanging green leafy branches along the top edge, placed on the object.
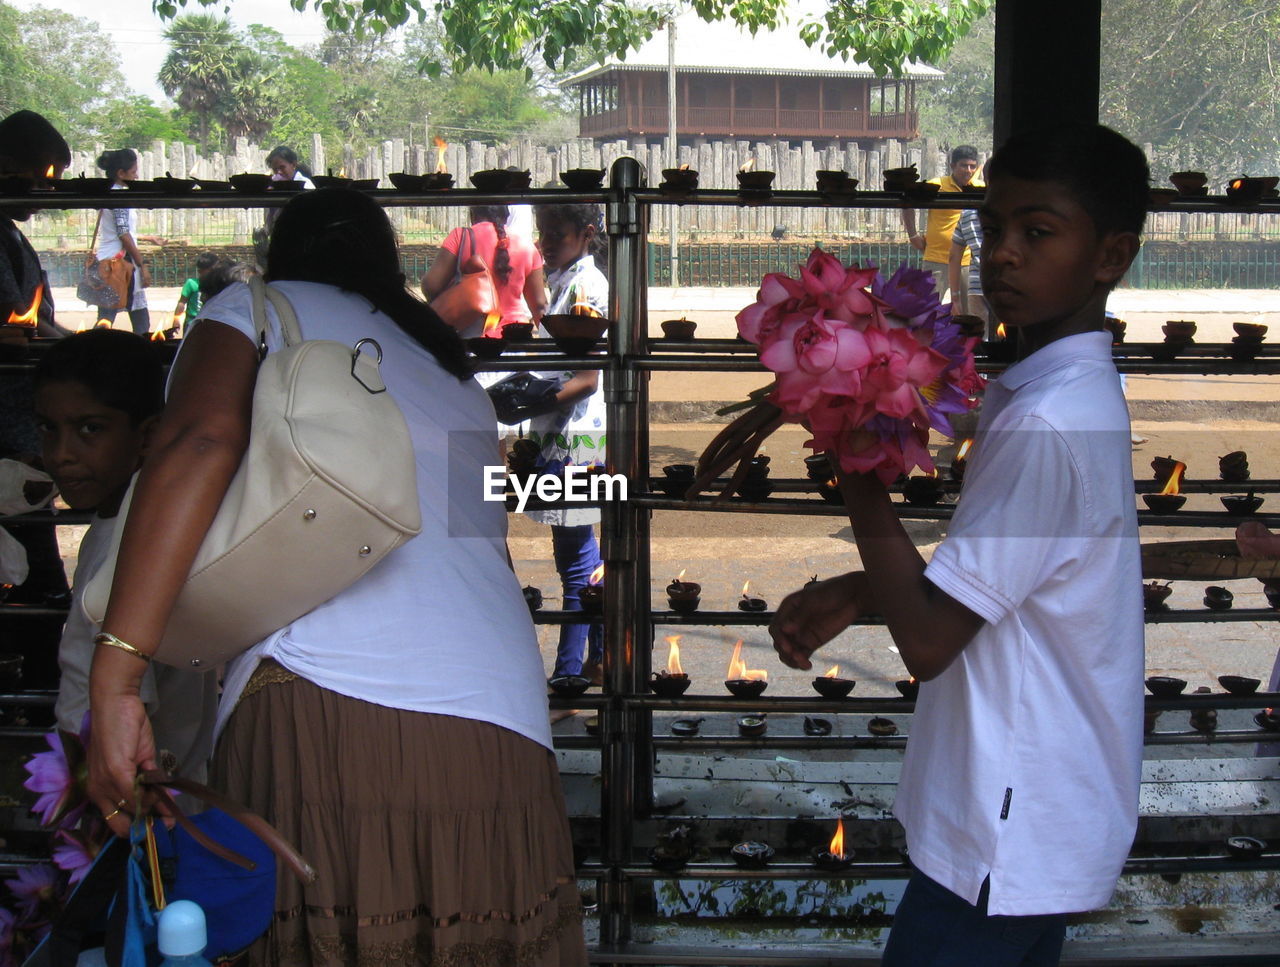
(497, 35)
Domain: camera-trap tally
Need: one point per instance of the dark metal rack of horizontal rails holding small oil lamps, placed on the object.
(627, 741)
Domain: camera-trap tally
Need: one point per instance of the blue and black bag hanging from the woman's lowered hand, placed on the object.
(223, 859)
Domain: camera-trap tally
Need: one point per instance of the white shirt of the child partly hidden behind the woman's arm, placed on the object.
(181, 703)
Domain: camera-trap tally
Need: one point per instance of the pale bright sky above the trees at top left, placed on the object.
(138, 31)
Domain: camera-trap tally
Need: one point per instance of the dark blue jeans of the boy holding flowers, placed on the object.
(935, 928)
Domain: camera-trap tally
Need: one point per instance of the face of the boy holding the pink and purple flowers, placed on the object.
(1043, 259)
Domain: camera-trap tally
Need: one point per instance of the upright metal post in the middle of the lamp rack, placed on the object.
(627, 623)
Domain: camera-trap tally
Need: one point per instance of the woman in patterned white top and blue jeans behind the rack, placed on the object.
(574, 434)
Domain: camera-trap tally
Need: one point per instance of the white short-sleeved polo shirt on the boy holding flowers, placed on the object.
(1026, 754)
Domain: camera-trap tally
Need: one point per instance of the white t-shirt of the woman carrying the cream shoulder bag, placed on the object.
(438, 626)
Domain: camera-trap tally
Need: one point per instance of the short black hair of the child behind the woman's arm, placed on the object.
(121, 370)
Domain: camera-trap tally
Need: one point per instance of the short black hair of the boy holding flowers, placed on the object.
(1105, 174)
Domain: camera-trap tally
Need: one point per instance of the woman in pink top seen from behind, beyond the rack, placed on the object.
(514, 262)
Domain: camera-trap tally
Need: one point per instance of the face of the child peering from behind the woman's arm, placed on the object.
(92, 450)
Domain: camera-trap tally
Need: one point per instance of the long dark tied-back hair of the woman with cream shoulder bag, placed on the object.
(344, 239)
